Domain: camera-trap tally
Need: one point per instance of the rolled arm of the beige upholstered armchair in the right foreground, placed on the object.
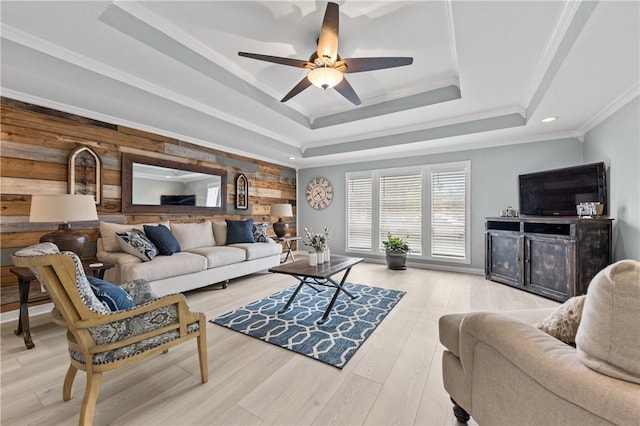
(551, 363)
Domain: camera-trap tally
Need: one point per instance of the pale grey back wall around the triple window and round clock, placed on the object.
(494, 185)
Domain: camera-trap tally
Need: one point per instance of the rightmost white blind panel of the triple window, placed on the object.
(448, 213)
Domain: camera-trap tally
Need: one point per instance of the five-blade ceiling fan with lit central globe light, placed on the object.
(327, 68)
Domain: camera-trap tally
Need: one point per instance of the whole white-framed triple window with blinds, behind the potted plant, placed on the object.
(429, 204)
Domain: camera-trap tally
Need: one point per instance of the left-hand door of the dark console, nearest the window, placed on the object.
(503, 261)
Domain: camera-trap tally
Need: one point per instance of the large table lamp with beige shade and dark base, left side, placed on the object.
(64, 208)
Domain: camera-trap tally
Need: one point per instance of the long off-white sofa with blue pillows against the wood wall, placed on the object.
(205, 258)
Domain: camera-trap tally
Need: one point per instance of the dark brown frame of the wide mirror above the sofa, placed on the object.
(127, 186)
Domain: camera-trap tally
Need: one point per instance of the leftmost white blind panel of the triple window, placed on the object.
(359, 215)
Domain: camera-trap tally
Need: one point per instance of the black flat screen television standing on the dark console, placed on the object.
(557, 192)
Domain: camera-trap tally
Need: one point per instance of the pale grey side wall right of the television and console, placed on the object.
(616, 141)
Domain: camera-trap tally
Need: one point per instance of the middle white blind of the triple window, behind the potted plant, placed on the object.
(401, 209)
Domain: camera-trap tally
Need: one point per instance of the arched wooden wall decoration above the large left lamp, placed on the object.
(83, 160)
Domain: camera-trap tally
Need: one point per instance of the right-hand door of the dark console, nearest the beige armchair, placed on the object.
(550, 266)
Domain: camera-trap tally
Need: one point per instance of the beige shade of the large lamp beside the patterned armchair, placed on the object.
(62, 208)
